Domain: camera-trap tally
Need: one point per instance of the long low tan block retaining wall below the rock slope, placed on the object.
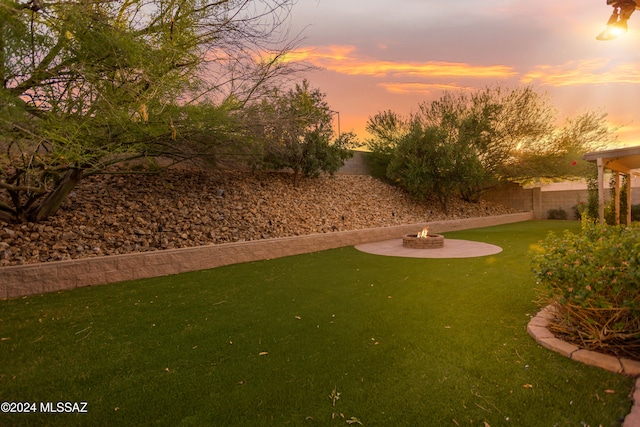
(31, 279)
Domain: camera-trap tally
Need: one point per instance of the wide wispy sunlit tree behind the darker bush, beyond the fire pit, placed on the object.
(497, 135)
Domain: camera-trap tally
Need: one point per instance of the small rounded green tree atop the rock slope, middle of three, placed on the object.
(294, 130)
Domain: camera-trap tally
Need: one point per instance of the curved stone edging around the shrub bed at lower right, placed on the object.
(537, 328)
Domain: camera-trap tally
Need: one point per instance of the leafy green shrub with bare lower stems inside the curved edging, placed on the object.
(593, 280)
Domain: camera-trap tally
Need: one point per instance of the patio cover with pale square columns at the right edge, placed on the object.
(622, 161)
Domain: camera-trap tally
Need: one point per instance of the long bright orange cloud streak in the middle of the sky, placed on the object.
(344, 60)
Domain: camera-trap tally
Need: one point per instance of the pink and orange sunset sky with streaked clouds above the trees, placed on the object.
(378, 55)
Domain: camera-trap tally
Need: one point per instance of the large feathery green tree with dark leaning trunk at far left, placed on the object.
(88, 85)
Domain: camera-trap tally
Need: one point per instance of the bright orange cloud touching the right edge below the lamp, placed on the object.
(579, 73)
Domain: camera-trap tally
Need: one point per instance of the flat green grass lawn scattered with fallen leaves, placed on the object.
(328, 338)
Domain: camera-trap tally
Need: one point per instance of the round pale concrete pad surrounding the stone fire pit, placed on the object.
(453, 248)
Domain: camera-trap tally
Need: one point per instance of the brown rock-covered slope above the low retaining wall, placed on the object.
(122, 214)
